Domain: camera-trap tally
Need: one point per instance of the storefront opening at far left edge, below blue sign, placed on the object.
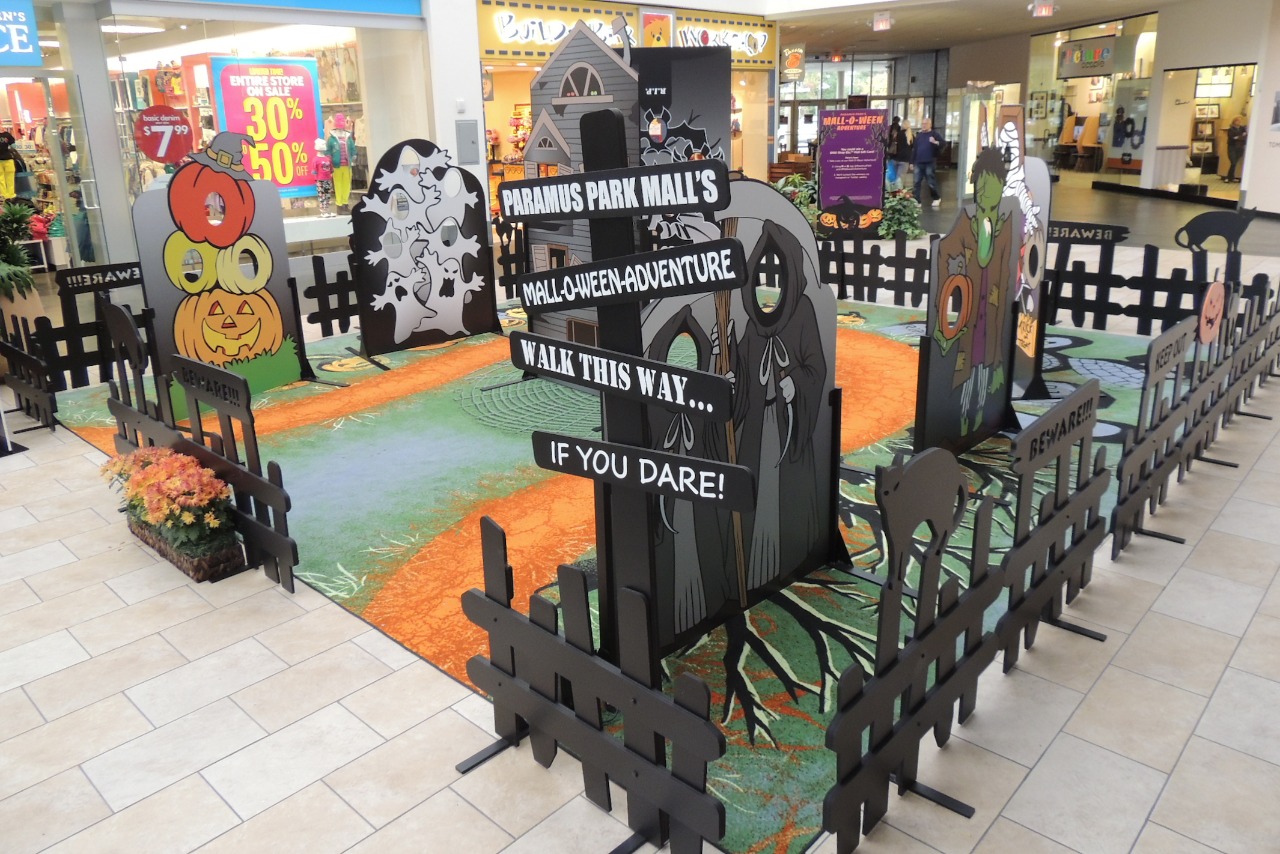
(54, 173)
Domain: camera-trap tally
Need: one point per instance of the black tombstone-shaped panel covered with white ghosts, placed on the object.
(423, 264)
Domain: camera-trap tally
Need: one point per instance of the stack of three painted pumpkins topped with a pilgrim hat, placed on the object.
(228, 314)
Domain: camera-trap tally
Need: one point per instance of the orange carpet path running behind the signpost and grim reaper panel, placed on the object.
(554, 522)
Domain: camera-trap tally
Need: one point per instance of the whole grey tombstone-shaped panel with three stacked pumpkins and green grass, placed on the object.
(216, 268)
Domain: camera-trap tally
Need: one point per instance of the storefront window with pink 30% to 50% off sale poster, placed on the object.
(295, 92)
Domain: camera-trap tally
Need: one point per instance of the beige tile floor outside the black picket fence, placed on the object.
(140, 713)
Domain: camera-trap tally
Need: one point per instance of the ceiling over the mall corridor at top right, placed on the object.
(931, 25)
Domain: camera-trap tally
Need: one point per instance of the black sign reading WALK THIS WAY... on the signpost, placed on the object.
(641, 380)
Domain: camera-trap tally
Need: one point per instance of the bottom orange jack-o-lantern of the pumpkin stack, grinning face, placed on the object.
(218, 327)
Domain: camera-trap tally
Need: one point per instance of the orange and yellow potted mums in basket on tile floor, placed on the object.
(180, 509)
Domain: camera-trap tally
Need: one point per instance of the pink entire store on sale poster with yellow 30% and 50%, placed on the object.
(276, 102)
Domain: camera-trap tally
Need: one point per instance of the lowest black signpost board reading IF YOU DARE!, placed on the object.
(657, 472)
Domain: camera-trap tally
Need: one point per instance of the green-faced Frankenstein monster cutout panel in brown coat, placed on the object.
(964, 381)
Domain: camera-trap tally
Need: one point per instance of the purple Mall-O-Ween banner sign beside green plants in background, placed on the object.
(852, 159)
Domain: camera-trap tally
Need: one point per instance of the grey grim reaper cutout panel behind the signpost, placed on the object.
(780, 345)
